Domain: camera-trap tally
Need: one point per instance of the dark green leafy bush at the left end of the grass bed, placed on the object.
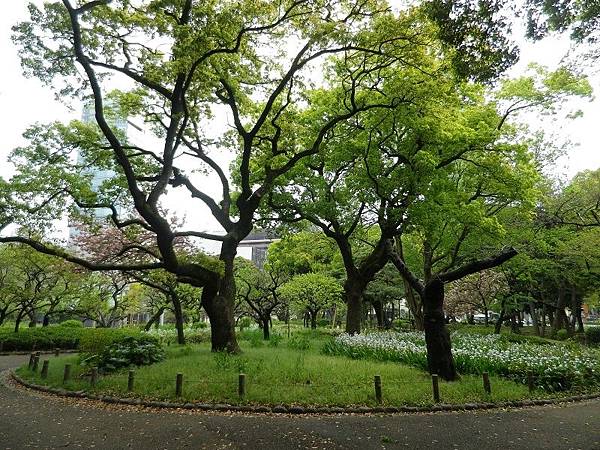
(140, 350)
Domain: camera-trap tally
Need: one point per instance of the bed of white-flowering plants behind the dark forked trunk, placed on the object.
(554, 367)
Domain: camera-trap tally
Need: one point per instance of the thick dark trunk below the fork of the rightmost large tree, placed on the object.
(437, 338)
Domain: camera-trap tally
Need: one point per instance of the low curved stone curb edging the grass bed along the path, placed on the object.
(292, 409)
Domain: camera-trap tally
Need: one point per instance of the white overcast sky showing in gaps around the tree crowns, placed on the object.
(25, 101)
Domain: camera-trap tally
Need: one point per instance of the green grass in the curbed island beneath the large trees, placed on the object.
(280, 375)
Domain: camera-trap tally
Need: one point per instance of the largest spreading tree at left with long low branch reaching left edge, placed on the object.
(188, 64)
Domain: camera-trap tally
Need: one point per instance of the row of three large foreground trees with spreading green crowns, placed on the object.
(362, 121)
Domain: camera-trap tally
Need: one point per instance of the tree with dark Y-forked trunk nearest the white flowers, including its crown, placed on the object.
(482, 177)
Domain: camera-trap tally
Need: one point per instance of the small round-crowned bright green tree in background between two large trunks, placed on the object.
(312, 293)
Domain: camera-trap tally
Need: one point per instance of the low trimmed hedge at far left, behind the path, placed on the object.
(66, 338)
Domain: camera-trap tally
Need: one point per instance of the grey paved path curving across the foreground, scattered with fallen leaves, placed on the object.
(31, 420)
